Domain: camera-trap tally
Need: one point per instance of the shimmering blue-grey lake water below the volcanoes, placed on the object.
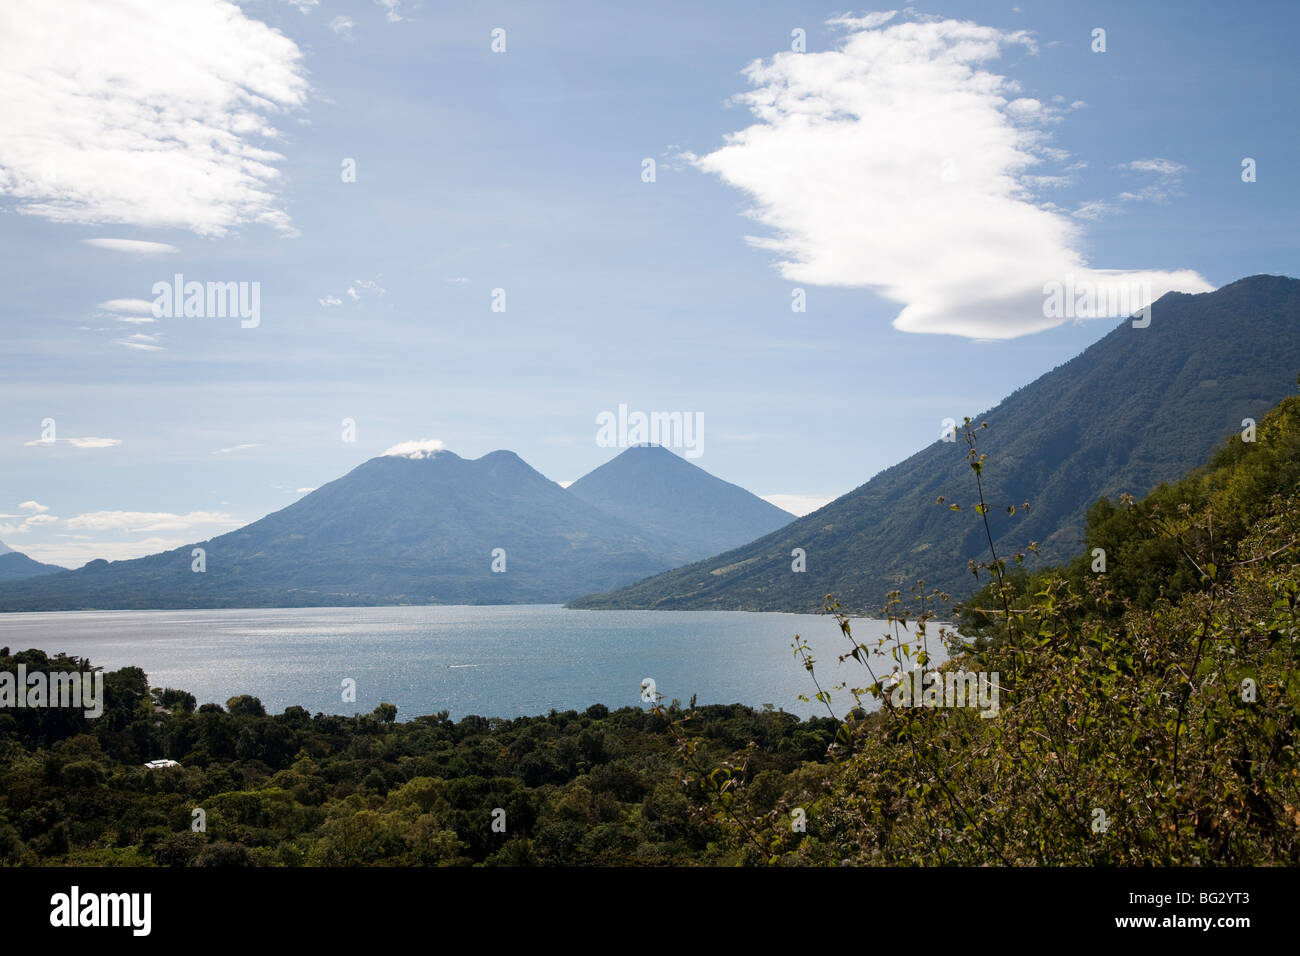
(496, 661)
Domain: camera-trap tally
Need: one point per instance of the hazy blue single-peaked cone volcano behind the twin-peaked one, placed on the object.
(692, 513)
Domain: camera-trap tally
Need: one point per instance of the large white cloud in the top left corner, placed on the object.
(144, 114)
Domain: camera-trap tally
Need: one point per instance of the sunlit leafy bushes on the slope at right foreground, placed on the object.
(1147, 706)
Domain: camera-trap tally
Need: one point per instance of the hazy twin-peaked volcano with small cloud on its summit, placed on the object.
(392, 531)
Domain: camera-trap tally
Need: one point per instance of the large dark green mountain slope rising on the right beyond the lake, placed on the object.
(1139, 408)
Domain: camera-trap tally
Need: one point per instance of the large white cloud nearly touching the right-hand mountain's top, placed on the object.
(899, 163)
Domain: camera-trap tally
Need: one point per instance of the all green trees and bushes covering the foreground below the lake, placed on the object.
(1147, 717)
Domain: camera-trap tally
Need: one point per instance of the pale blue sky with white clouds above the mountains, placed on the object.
(486, 224)
